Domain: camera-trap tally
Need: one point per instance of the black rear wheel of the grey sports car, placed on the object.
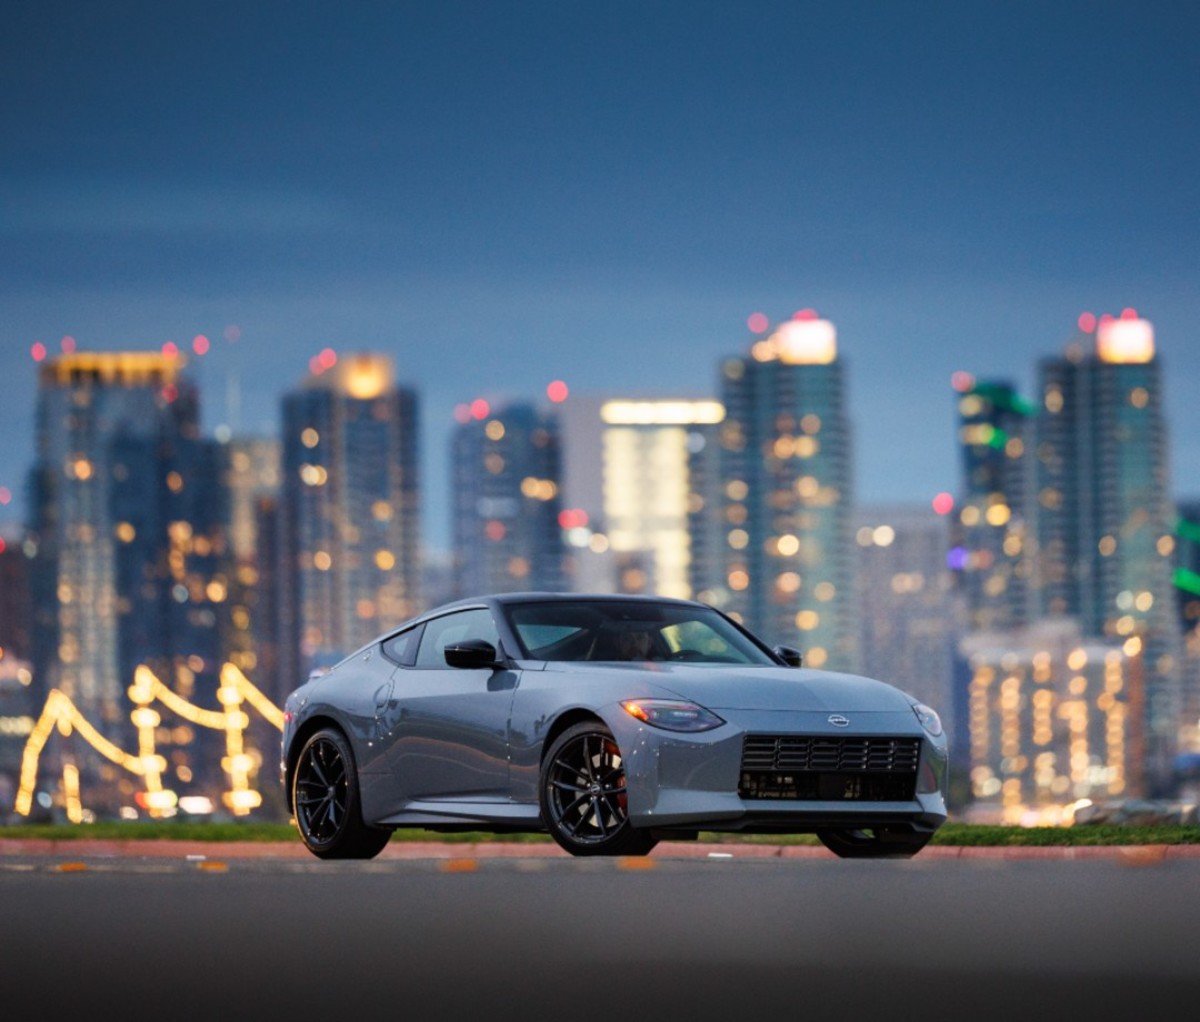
(326, 799)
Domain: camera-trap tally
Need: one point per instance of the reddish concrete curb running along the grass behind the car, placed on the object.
(1132, 855)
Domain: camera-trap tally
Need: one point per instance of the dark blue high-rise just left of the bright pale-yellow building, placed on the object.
(507, 479)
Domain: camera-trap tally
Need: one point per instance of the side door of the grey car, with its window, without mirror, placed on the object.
(448, 728)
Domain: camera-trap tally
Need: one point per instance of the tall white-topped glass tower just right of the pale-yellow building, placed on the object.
(787, 495)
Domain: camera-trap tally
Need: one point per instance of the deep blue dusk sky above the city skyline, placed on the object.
(499, 195)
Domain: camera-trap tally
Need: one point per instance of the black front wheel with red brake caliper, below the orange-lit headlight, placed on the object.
(583, 795)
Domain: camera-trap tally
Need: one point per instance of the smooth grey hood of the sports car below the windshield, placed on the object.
(724, 687)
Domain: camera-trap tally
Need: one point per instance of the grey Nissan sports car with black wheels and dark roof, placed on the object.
(613, 723)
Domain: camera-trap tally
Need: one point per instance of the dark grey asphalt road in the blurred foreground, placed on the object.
(536, 939)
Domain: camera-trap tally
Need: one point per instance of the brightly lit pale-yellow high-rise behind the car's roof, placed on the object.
(651, 450)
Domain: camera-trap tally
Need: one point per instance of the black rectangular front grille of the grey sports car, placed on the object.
(830, 768)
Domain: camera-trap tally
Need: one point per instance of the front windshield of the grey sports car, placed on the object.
(607, 630)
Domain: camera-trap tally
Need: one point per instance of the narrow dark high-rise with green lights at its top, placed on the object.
(993, 558)
